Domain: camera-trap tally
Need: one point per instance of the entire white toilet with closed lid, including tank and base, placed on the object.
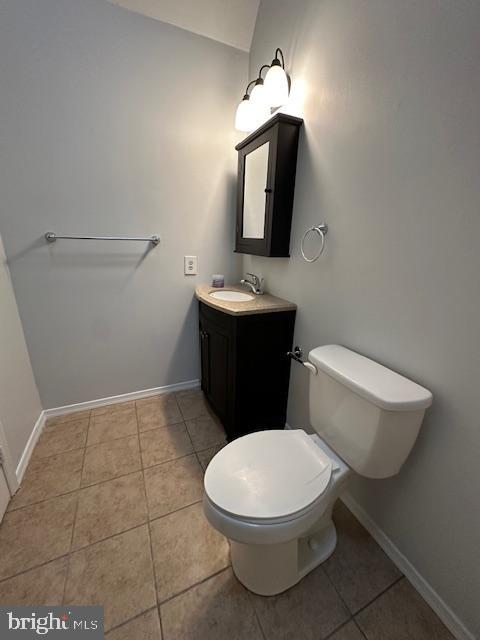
(271, 493)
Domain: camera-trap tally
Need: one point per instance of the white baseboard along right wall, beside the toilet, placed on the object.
(446, 615)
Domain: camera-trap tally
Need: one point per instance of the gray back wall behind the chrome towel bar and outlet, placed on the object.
(112, 124)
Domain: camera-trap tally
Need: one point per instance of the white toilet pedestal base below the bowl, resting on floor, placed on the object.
(270, 569)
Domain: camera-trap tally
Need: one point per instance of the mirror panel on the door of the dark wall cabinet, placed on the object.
(255, 192)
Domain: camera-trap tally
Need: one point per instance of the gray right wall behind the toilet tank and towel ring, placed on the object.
(390, 157)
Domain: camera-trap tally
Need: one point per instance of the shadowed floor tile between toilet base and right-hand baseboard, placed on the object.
(358, 568)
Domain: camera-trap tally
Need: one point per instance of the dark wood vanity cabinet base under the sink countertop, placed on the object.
(245, 369)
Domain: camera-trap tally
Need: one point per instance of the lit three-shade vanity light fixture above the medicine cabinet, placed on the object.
(256, 106)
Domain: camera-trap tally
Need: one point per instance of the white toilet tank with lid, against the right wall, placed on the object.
(367, 413)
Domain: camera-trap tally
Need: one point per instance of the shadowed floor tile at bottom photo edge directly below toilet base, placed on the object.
(295, 615)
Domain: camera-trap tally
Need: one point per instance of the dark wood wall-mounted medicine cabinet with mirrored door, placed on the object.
(267, 162)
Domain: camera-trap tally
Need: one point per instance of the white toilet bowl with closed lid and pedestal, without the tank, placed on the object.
(271, 493)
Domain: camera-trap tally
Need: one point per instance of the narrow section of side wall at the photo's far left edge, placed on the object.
(20, 404)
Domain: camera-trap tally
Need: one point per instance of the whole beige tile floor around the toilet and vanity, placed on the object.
(110, 513)
